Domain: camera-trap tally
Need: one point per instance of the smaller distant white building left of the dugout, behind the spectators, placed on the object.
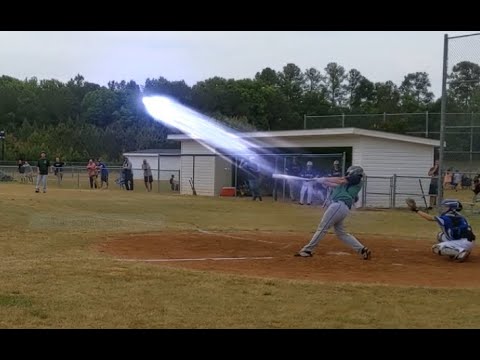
(167, 160)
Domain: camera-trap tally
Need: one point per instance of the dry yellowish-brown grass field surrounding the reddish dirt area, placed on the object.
(52, 276)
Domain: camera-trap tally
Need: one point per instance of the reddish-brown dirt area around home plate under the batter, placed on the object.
(395, 261)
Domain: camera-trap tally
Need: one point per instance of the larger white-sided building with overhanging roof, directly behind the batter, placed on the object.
(382, 155)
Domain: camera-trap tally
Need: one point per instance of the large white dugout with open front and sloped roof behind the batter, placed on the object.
(381, 154)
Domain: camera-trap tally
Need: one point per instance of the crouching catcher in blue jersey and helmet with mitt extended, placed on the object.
(456, 240)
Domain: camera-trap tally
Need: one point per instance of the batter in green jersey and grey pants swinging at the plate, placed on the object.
(344, 194)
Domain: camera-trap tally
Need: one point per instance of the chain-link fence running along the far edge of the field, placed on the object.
(378, 191)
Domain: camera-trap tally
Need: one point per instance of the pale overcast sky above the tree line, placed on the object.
(102, 56)
